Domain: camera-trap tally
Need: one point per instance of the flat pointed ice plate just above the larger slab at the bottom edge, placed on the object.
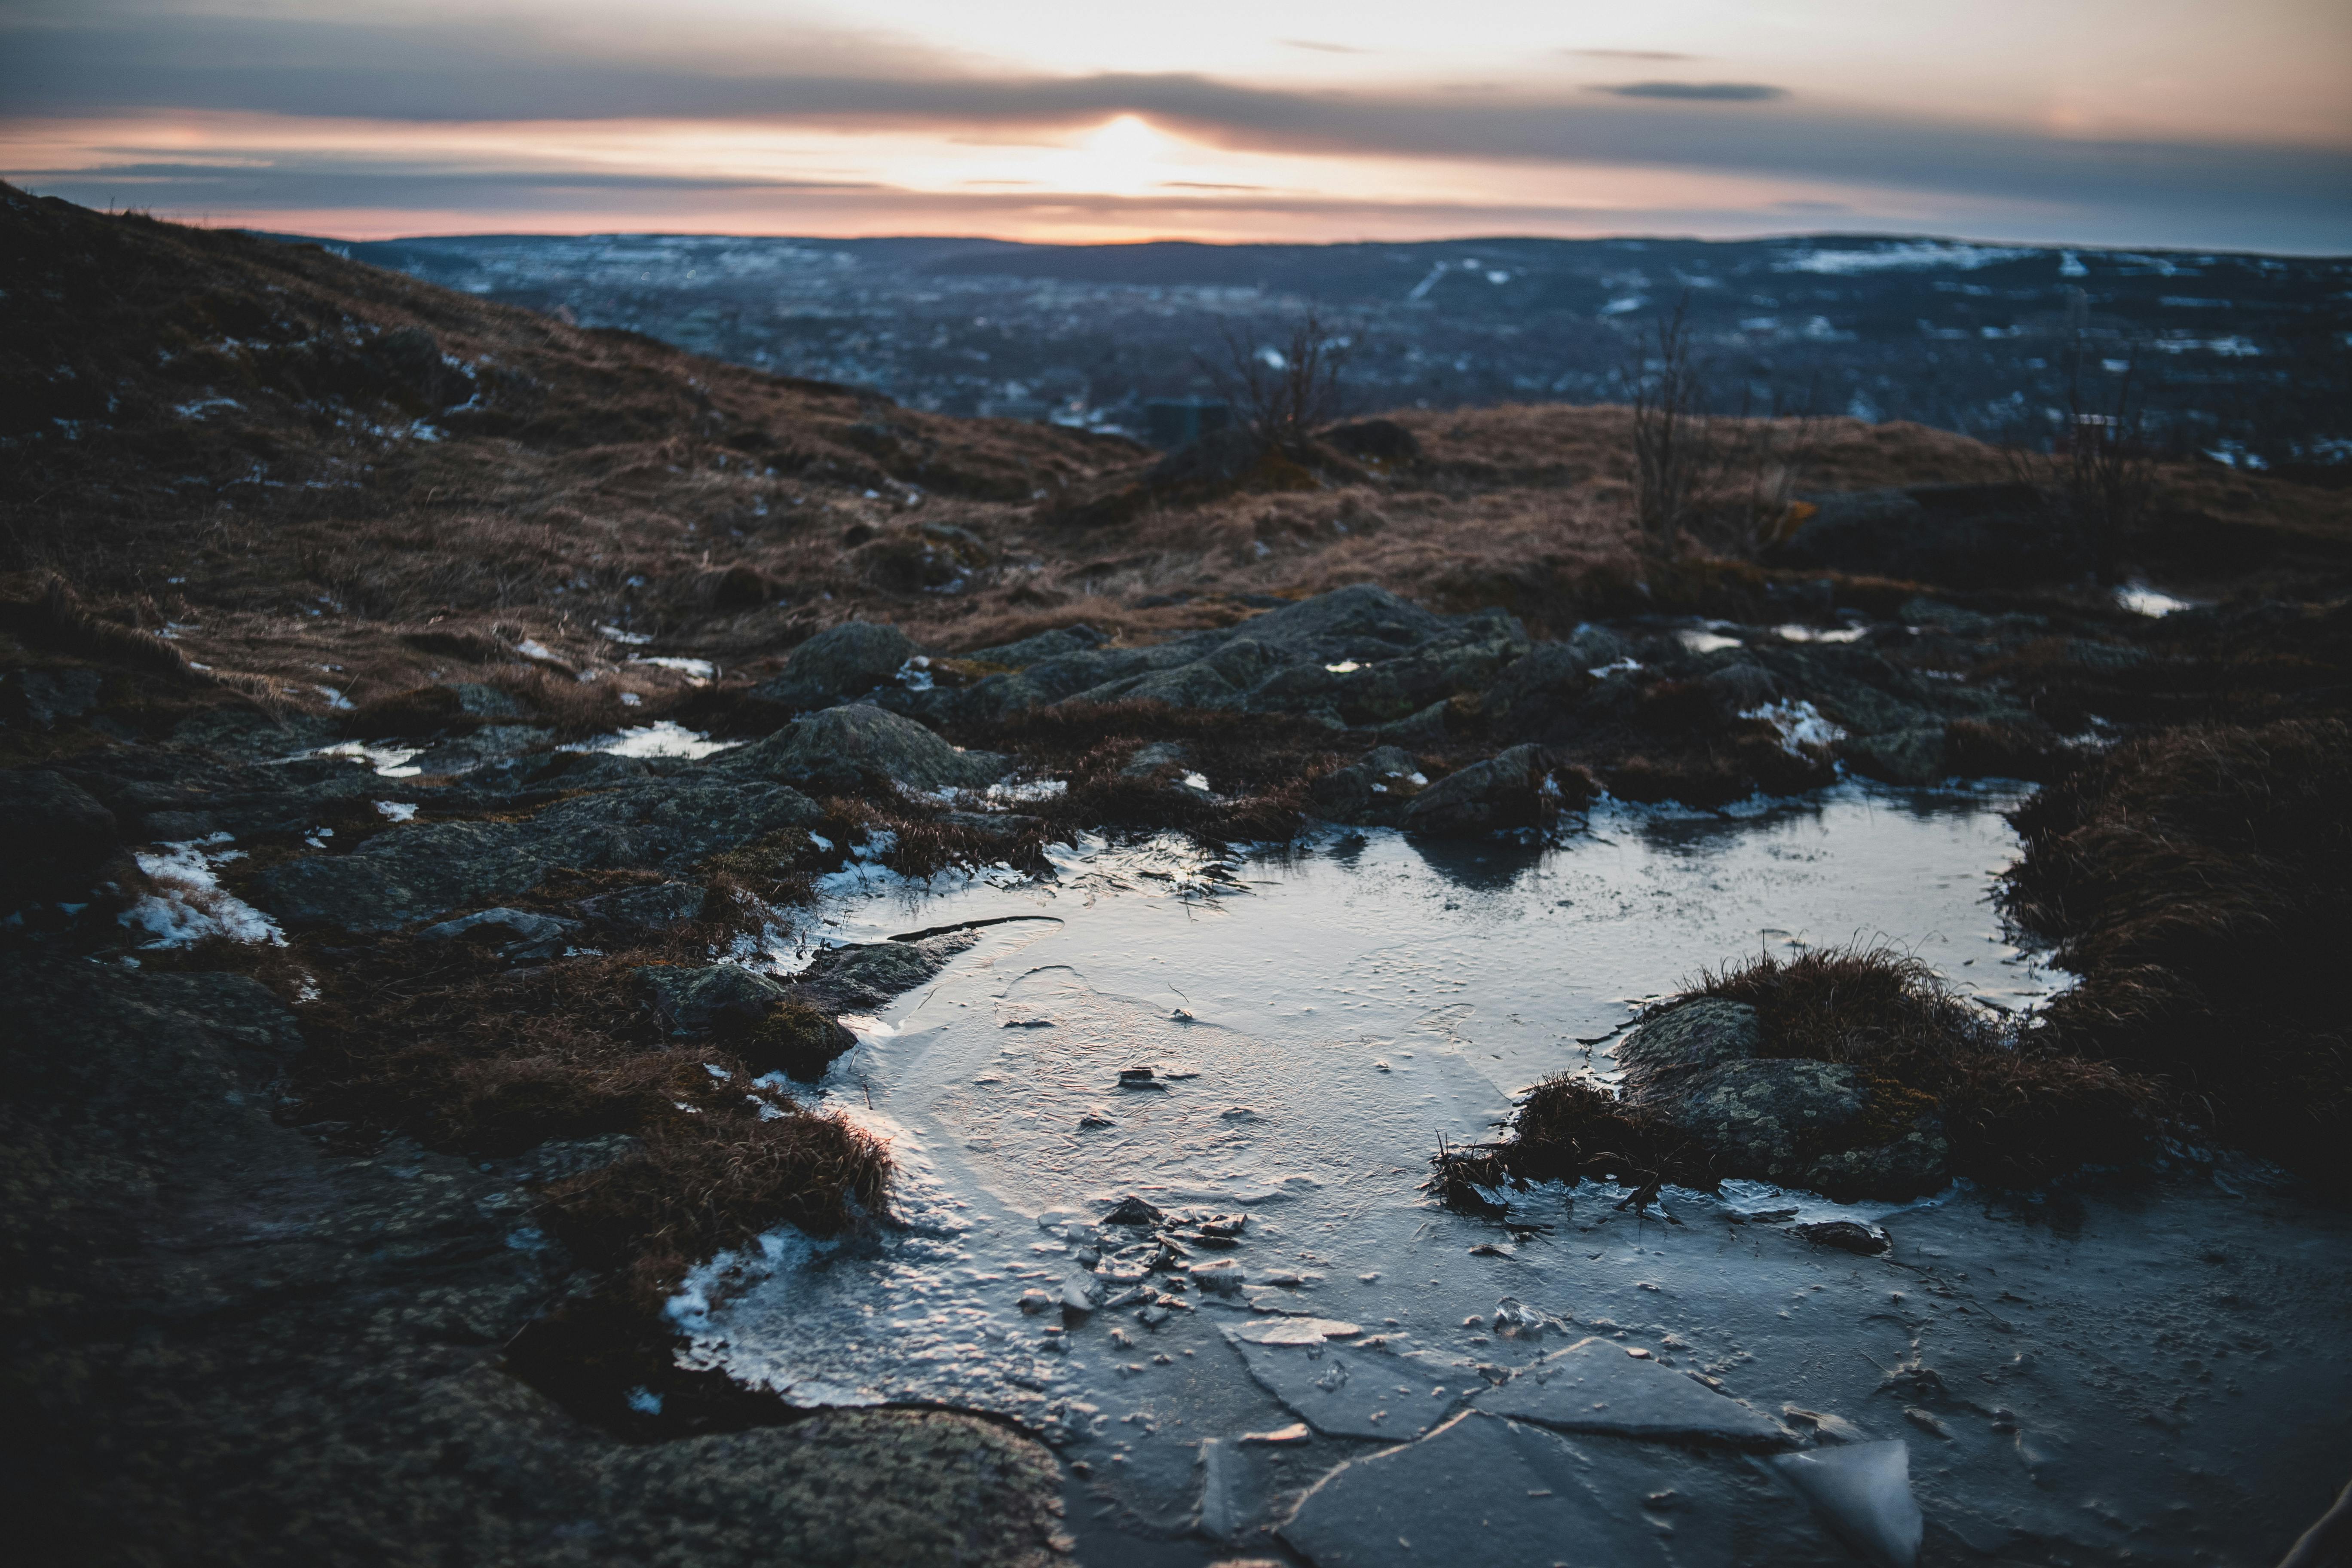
(1596, 1386)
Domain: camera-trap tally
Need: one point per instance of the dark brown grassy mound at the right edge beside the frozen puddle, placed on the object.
(2200, 883)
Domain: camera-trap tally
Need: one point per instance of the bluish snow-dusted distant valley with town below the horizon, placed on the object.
(2240, 359)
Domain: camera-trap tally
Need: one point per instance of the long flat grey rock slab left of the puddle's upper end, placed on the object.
(420, 871)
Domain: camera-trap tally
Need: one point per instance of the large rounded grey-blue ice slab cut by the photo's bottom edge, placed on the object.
(1492, 1494)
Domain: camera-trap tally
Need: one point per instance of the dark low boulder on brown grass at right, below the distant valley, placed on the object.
(1958, 535)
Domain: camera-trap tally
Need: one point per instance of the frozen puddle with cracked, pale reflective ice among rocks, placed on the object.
(1382, 1381)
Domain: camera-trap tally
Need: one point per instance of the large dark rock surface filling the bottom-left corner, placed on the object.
(239, 1346)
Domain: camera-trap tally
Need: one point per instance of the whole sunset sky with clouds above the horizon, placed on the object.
(2123, 123)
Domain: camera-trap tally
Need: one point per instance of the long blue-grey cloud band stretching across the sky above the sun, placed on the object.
(476, 74)
